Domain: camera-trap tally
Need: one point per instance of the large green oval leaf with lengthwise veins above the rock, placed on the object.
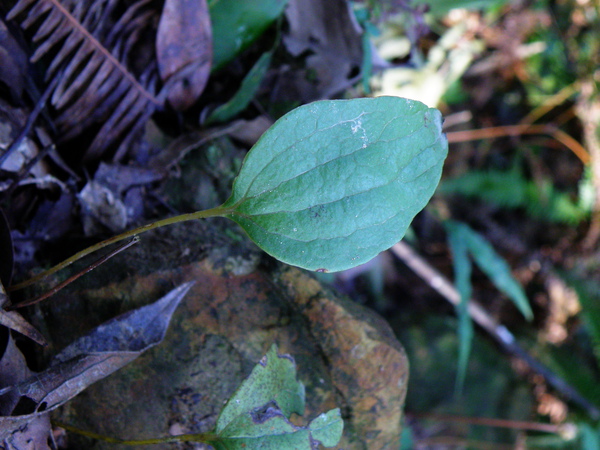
(333, 183)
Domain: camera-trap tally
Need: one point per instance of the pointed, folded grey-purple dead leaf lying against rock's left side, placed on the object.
(92, 357)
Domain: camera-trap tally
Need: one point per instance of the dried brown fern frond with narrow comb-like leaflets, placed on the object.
(95, 85)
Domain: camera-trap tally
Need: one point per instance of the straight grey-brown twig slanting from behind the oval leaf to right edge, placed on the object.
(499, 332)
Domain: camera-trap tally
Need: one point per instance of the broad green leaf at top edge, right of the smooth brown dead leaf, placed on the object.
(238, 23)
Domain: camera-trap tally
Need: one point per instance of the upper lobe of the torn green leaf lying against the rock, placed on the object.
(272, 379)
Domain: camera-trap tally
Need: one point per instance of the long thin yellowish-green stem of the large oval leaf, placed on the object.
(213, 212)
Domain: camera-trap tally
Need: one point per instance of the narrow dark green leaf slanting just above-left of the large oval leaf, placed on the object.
(245, 94)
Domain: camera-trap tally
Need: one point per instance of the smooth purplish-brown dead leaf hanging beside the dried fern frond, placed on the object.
(184, 50)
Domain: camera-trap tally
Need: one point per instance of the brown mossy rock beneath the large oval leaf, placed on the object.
(242, 302)
